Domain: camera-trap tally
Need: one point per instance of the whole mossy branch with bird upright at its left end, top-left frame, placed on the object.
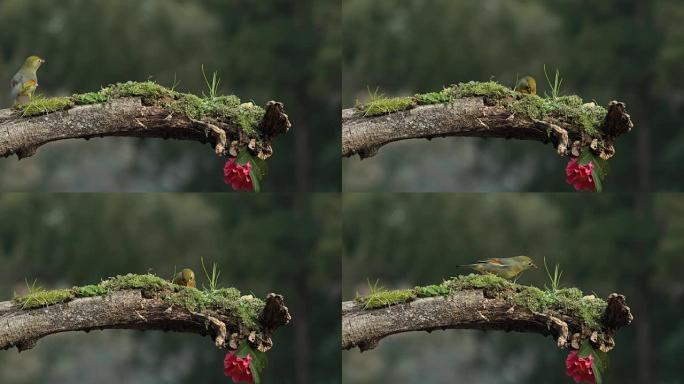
(143, 110)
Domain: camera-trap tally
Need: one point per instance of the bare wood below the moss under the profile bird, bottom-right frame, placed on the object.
(476, 309)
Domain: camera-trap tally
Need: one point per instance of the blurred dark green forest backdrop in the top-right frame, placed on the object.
(629, 50)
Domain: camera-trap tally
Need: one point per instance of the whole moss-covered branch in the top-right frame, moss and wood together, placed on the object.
(483, 110)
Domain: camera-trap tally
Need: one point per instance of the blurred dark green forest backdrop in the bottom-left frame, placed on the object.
(75, 239)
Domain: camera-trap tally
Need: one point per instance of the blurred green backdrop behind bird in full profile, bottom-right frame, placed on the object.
(632, 244)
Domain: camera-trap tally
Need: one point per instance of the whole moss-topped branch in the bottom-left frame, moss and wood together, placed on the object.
(161, 307)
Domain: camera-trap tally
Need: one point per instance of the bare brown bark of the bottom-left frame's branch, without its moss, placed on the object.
(126, 309)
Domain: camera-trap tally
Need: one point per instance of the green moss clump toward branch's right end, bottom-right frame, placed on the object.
(589, 308)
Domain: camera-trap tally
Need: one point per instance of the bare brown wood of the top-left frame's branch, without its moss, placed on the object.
(132, 117)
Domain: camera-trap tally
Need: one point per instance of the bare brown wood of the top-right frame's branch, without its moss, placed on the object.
(472, 117)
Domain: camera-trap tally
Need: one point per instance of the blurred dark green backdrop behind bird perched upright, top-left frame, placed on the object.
(285, 50)
